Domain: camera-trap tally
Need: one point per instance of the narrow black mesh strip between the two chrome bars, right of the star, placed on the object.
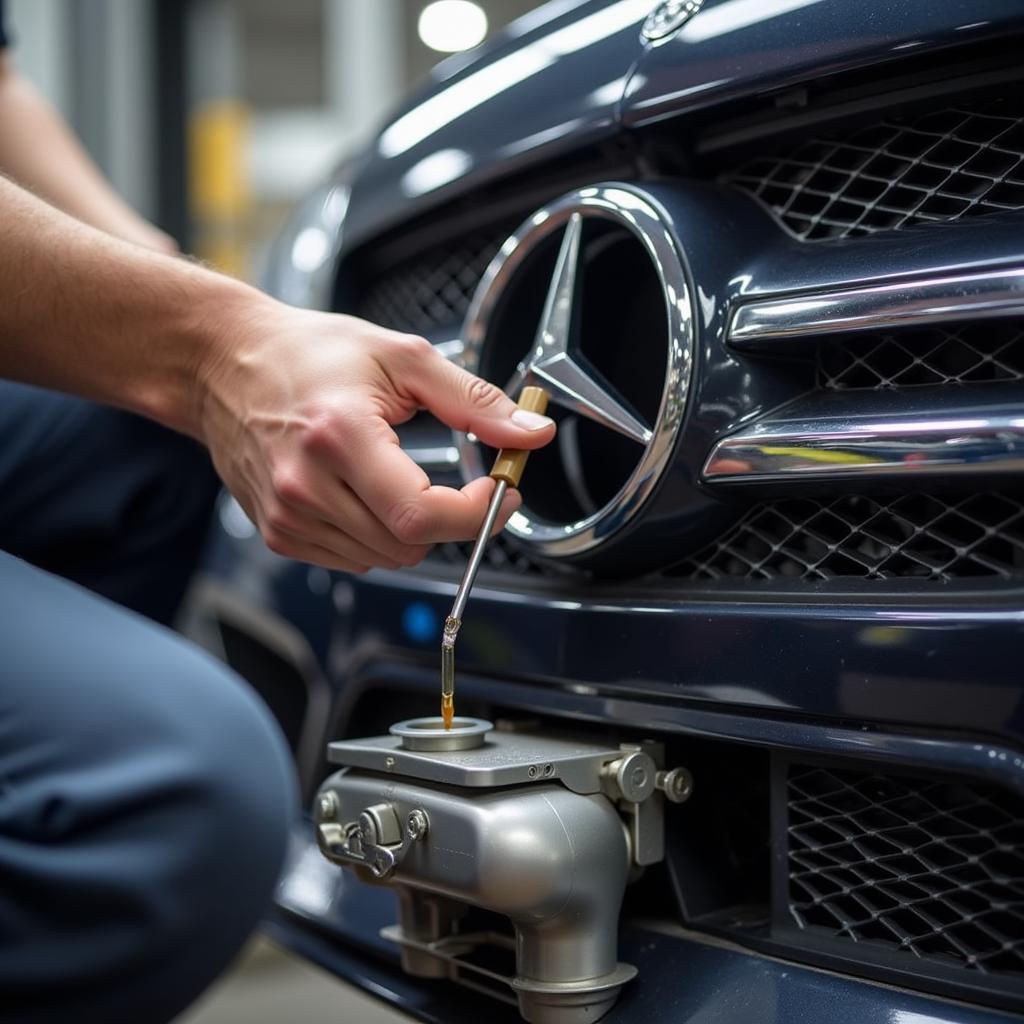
(964, 356)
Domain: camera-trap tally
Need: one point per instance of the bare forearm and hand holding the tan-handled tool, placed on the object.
(296, 407)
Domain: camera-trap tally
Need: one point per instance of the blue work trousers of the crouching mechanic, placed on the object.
(146, 793)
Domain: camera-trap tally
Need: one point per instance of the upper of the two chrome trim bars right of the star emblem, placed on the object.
(880, 308)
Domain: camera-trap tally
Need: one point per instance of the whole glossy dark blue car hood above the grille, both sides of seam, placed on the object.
(578, 71)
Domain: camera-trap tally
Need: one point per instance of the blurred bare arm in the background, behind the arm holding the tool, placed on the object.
(39, 151)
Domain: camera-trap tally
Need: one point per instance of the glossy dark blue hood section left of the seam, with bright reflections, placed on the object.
(554, 89)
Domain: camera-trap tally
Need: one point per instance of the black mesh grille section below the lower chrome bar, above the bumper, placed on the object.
(911, 536)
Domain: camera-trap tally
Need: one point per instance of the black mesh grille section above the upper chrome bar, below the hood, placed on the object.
(943, 166)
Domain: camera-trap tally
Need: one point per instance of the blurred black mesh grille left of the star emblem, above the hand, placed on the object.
(434, 290)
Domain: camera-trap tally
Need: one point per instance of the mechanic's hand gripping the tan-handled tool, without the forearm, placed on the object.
(297, 413)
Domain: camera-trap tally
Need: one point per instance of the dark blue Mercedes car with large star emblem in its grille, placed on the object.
(782, 529)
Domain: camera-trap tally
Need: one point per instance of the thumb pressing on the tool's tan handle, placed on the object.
(467, 403)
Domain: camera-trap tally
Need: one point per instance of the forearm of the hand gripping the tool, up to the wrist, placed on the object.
(88, 314)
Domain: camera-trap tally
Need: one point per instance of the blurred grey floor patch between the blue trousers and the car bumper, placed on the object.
(269, 986)
